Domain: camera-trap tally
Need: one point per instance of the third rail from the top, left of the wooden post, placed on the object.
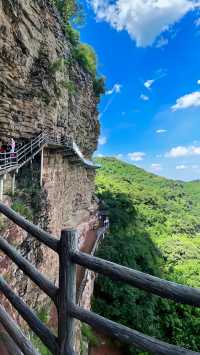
(35, 324)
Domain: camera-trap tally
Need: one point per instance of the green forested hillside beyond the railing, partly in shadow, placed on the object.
(155, 228)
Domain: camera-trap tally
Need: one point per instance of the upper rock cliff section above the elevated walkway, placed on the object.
(33, 95)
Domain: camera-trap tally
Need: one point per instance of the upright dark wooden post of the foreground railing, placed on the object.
(67, 292)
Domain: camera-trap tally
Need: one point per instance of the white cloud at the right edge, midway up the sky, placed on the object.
(187, 101)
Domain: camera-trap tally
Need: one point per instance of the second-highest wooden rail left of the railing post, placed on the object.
(29, 269)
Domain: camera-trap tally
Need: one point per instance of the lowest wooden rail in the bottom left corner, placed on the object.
(16, 334)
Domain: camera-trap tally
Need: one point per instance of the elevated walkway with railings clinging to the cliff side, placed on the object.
(10, 162)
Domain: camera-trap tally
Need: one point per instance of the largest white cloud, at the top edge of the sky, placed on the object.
(144, 20)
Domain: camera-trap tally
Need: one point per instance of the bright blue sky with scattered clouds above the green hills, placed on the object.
(149, 51)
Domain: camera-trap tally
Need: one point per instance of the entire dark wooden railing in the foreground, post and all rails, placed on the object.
(64, 296)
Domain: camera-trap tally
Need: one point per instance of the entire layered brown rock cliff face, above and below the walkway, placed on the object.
(34, 97)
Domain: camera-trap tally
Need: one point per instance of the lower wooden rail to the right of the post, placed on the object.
(127, 335)
